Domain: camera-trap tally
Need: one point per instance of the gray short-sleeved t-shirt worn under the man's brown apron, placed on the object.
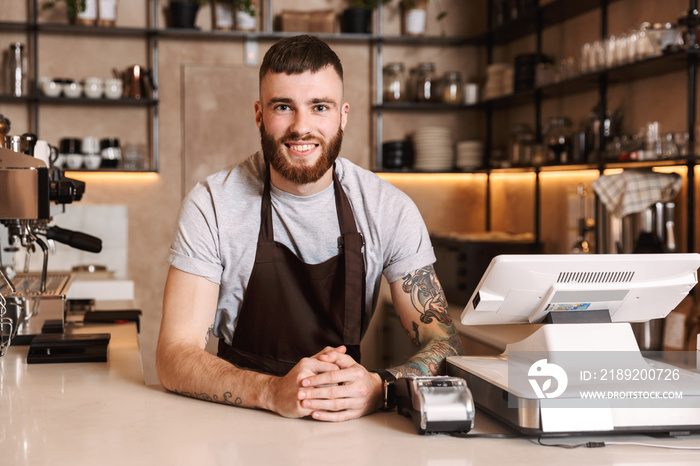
(219, 222)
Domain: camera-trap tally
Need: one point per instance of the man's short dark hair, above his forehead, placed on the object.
(298, 54)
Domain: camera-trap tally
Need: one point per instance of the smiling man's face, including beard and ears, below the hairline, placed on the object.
(301, 119)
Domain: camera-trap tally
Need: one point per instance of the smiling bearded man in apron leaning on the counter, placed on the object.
(281, 258)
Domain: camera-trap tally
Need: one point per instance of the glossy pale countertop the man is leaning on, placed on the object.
(102, 413)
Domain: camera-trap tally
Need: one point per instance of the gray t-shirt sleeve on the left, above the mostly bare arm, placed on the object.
(195, 247)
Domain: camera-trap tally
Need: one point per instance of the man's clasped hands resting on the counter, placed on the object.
(328, 386)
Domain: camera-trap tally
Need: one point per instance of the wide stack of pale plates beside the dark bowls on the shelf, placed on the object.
(433, 149)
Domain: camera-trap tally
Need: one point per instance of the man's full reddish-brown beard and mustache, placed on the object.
(296, 173)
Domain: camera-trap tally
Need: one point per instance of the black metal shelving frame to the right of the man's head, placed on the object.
(534, 23)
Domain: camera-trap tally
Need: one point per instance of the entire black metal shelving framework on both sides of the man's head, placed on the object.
(530, 23)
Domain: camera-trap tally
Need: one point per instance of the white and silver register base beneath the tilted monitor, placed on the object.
(514, 399)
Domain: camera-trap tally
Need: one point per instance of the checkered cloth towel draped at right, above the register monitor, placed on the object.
(633, 191)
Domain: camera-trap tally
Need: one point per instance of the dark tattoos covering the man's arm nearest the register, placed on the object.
(428, 299)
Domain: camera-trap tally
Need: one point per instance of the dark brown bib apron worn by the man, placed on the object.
(292, 309)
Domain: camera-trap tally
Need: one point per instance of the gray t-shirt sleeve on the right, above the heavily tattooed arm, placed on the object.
(408, 245)
